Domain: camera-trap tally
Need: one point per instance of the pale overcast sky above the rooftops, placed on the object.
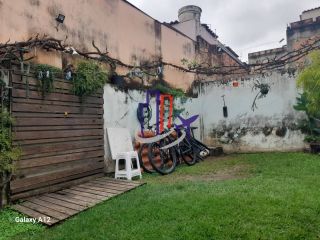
(244, 25)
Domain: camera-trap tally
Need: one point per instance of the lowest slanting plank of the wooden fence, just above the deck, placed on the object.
(54, 187)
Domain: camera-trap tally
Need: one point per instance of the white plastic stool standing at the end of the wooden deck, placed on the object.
(129, 171)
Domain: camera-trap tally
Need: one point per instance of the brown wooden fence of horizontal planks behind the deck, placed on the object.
(61, 138)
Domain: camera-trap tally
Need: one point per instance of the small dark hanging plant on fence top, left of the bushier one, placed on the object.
(45, 75)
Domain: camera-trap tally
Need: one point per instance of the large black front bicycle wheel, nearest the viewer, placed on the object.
(164, 161)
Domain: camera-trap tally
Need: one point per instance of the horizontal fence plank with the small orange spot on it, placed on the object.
(41, 108)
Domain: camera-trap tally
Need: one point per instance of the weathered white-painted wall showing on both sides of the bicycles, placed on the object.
(270, 127)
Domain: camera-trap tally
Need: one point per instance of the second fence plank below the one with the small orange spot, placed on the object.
(57, 134)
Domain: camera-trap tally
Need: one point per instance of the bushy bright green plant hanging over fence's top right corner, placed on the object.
(89, 78)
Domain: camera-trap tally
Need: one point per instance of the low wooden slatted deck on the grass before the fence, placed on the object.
(51, 208)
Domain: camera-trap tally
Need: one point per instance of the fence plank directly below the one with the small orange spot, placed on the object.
(57, 121)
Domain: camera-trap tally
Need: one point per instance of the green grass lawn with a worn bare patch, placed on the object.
(249, 196)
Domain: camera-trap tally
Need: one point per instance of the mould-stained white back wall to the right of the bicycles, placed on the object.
(271, 127)
